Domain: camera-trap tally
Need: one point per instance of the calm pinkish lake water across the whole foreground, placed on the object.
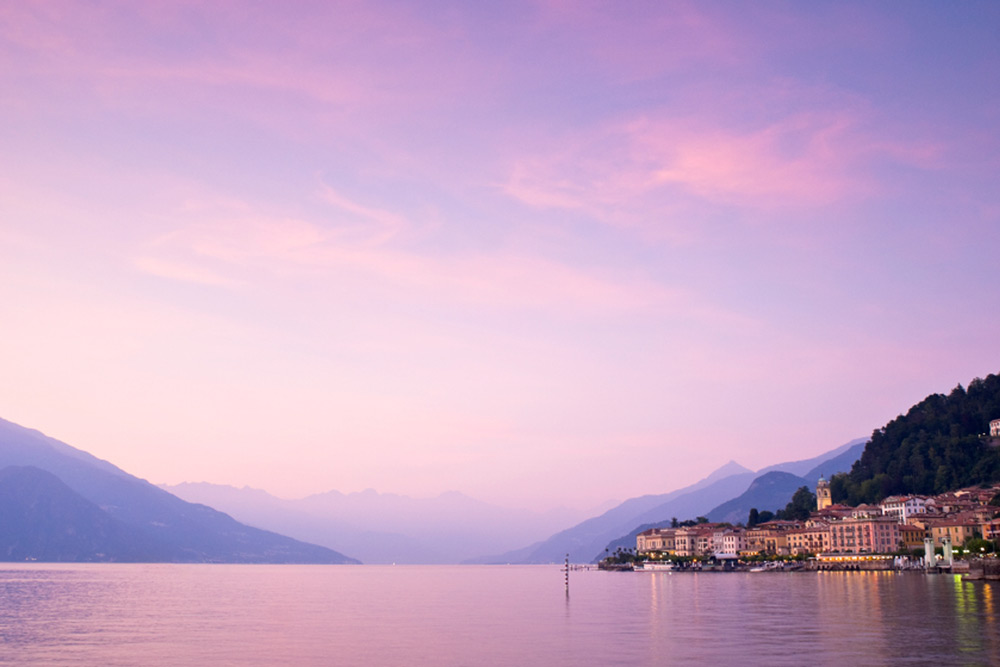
(483, 615)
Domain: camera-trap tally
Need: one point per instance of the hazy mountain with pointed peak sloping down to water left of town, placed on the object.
(589, 537)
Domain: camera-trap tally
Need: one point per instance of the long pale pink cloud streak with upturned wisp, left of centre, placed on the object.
(362, 247)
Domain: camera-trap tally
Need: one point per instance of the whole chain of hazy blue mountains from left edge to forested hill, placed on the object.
(60, 503)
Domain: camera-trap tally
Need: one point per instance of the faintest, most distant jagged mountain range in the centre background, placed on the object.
(385, 527)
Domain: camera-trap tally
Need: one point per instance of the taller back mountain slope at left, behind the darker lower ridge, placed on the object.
(184, 532)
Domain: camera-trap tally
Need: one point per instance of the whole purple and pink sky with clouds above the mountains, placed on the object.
(537, 252)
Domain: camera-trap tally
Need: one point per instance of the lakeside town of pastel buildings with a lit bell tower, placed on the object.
(944, 533)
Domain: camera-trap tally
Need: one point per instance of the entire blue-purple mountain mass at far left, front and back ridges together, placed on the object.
(60, 503)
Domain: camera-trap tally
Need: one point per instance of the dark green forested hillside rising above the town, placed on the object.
(941, 444)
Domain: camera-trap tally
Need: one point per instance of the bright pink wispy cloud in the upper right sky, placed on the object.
(801, 159)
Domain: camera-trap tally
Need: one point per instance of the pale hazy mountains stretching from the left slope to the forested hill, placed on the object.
(453, 528)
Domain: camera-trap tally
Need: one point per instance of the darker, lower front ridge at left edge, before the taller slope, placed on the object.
(43, 519)
